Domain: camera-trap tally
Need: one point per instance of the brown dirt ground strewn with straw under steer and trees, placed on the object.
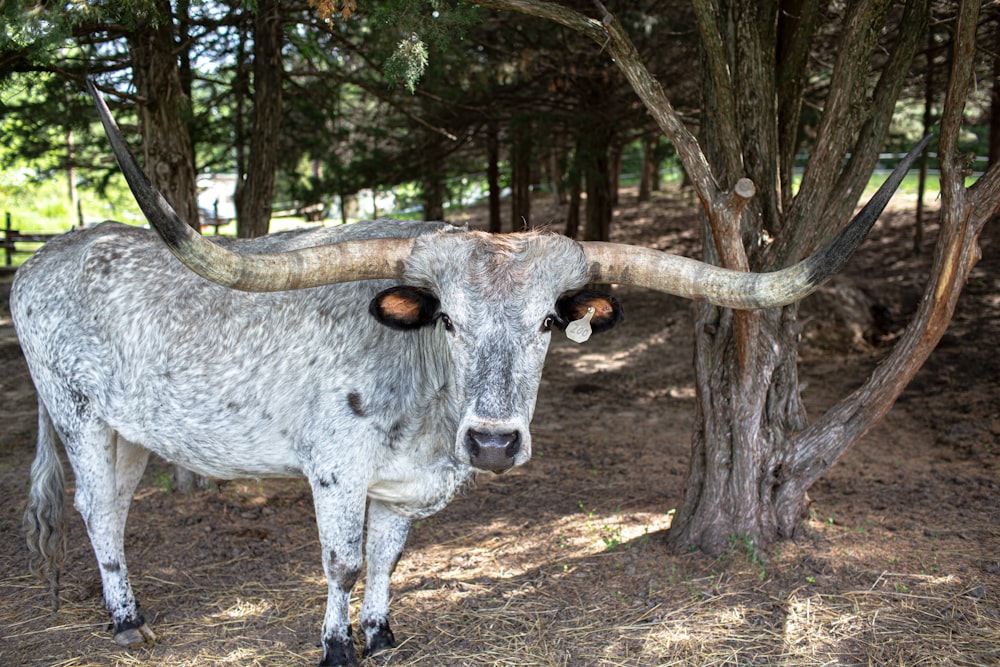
(564, 561)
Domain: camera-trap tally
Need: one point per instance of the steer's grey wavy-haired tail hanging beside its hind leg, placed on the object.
(45, 515)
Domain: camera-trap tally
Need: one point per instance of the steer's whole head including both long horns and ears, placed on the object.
(496, 297)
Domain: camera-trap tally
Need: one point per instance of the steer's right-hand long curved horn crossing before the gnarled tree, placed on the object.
(644, 267)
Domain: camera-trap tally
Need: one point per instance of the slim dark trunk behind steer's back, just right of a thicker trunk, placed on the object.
(254, 198)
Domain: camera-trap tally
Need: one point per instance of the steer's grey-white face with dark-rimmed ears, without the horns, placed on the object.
(495, 301)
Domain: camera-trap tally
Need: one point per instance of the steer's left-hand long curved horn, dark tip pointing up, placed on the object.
(308, 267)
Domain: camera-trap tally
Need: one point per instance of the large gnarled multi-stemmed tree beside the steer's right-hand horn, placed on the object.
(752, 460)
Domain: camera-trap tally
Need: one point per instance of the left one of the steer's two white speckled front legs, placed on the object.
(340, 511)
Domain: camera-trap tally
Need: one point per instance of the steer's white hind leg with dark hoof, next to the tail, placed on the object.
(108, 469)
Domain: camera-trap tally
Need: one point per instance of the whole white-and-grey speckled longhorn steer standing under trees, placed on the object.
(410, 362)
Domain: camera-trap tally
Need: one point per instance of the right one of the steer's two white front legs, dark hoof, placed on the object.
(387, 532)
